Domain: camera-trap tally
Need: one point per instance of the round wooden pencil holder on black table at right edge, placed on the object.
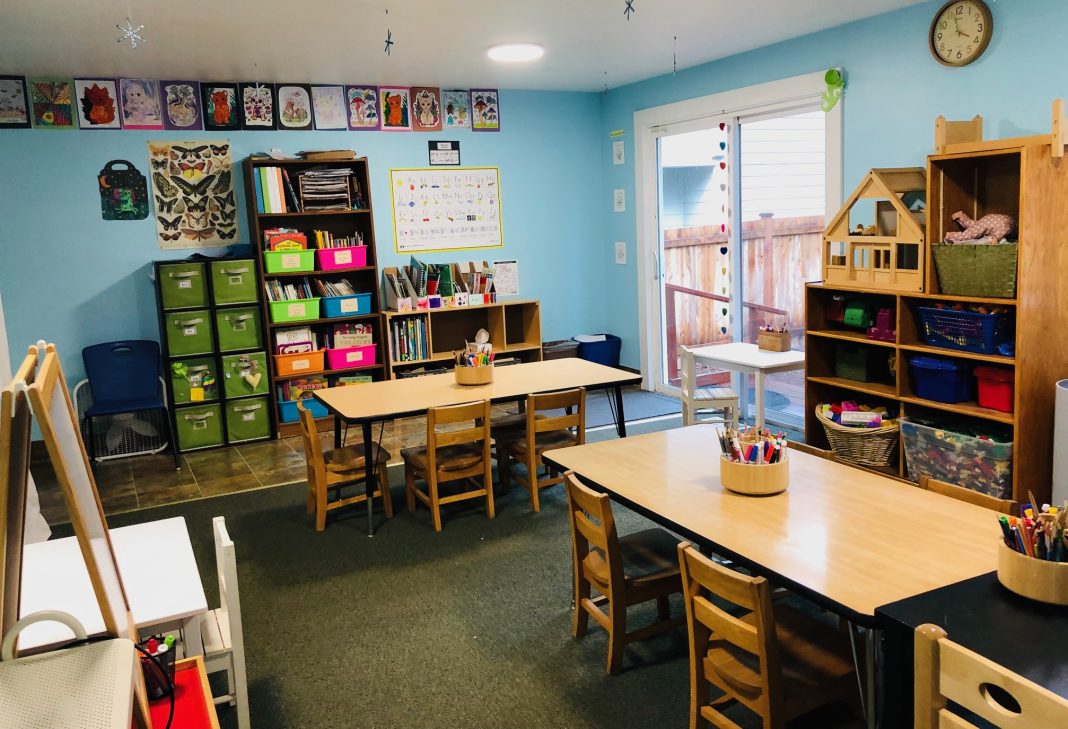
(1033, 554)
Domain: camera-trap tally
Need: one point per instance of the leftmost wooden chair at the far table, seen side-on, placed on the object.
(335, 469)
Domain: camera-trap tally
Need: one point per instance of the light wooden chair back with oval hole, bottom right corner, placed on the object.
(946, 671)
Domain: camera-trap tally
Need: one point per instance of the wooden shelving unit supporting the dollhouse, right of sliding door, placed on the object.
(1023, 180)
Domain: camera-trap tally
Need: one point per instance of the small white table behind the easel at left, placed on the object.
(160, 576)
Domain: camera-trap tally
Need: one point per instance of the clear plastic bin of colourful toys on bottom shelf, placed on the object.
(950, 452)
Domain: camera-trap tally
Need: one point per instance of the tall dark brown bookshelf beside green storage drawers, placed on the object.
(340, 224)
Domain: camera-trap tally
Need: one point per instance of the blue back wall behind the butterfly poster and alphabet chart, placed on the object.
(71, 278)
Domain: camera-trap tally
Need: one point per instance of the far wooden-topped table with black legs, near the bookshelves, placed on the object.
(388, 400)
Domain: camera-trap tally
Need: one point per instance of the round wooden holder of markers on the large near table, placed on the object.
(753, 463)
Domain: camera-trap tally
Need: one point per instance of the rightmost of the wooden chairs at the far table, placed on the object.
(541, 434)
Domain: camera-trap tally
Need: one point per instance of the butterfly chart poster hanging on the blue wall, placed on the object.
(194, 192)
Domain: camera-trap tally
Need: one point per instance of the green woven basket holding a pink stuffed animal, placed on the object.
(971, 270)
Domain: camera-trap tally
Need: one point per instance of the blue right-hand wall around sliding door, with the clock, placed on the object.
(896, 91)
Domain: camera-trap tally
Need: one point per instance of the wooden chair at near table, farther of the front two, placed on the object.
(625, 572)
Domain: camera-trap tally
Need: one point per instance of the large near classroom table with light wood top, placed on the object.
(847, 540)
